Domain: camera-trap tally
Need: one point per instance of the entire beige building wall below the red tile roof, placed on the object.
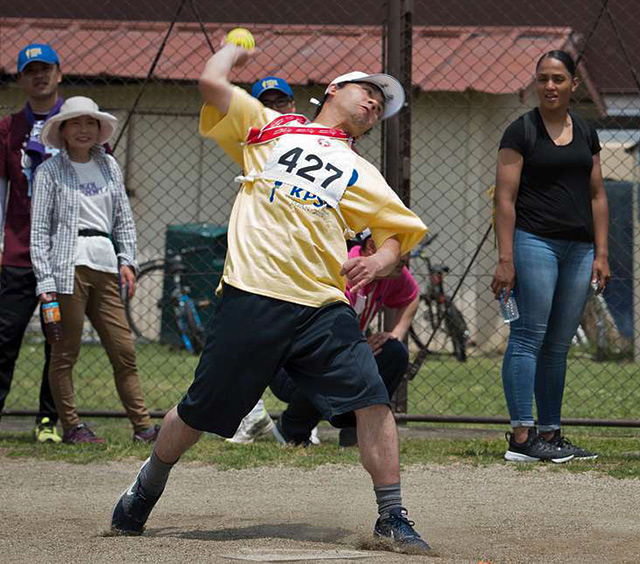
(174, 176)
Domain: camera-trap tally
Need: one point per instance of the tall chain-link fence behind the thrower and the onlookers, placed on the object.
(468, 70)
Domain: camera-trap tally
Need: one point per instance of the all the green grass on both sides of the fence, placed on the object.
(443, 387)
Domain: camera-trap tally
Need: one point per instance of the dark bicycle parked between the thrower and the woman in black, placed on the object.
(439, 309)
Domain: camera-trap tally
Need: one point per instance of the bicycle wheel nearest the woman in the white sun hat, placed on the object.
(143, 311)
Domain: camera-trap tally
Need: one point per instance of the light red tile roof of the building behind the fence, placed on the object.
(496, 60)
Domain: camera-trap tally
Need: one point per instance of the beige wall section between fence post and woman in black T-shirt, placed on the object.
(455, 145)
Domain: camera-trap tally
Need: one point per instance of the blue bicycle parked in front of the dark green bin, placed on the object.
(144, 311)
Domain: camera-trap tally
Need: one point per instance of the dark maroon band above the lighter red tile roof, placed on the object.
(604, 53)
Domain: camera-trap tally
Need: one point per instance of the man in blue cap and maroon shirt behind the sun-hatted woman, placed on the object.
(21, 151)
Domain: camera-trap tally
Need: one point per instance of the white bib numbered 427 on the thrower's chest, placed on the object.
(321, 165)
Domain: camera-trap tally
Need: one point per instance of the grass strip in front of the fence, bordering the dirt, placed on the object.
(619, 450)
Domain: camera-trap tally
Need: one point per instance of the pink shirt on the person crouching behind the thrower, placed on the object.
(394, 293)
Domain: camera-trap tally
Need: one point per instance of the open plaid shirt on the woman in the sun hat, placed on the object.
(54, 220)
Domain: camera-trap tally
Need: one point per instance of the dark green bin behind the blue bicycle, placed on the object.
(203, 248)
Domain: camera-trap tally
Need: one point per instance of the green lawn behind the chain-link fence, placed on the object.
(606, 390)
